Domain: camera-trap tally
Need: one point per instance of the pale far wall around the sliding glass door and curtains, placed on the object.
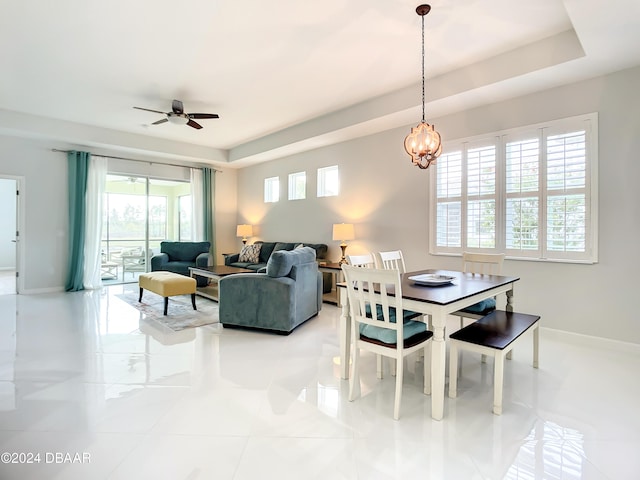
(44, 201)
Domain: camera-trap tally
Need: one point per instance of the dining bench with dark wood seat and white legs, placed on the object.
(493, 335)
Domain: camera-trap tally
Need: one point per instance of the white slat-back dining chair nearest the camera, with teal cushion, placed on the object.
(375, 329)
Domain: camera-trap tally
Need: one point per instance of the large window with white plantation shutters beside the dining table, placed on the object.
(530, 193)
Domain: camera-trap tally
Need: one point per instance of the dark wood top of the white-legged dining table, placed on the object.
(464, 285)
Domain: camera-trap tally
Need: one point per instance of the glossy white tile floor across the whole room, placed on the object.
(81, 386)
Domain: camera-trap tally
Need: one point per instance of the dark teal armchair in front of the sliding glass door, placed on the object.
(177, 257)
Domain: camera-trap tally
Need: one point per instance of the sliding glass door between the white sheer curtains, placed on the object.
(139, 213)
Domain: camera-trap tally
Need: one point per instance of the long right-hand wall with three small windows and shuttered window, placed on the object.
(387, 200)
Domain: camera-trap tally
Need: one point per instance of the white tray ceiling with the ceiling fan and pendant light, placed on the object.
(288, 75)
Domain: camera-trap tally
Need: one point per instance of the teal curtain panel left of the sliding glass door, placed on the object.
(78, 170)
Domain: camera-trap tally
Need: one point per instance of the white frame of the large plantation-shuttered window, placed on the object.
(544, 131)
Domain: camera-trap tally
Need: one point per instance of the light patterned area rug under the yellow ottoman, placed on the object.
(180, 314)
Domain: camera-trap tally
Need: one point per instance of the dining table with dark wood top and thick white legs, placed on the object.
(438, 299)
